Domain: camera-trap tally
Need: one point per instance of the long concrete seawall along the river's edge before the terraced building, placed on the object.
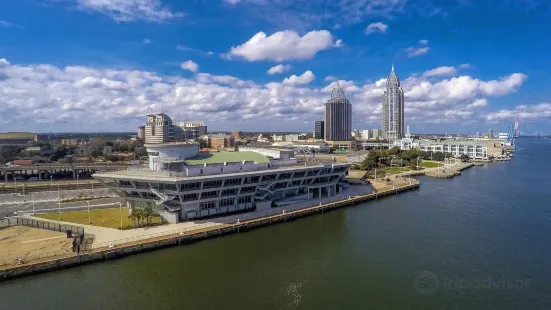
(105, 254)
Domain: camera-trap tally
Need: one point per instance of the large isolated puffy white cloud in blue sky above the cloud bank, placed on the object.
(284, 45)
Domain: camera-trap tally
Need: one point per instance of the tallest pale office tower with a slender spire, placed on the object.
(393, 109)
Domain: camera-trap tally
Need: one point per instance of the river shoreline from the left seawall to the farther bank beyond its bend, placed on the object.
(398, 183)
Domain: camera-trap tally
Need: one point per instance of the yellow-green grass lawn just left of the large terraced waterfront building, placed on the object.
(110, 218)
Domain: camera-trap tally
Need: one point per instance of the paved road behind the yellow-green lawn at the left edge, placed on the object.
(51, 206)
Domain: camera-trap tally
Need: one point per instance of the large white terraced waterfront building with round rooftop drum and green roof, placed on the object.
(182, 184)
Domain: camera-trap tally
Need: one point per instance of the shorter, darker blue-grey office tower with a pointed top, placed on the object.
(338, 117)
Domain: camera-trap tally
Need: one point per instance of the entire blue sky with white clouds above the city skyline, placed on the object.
(101, 65)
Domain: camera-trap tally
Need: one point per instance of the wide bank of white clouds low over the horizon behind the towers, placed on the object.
(58, 98)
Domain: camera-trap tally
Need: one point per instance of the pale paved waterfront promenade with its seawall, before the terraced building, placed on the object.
(169, 235)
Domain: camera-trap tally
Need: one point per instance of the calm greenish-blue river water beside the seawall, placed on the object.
(478, 241)
